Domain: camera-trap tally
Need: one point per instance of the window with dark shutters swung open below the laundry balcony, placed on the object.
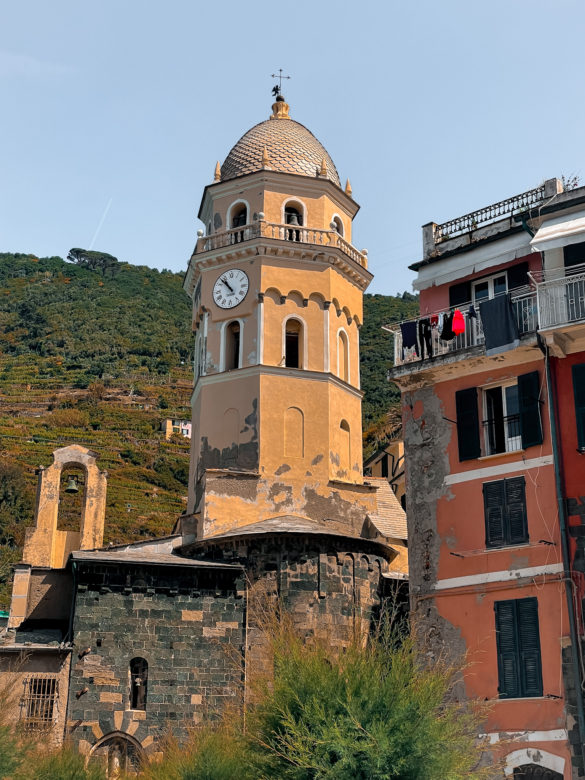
(511, 418)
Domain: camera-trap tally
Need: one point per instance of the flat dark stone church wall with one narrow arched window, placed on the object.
(188, 624)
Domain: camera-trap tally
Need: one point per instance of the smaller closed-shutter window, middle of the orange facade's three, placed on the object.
(505, 512)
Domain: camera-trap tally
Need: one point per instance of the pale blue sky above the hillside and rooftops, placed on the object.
(114, 113)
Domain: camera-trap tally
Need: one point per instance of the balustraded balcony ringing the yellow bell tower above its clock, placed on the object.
(293, 233)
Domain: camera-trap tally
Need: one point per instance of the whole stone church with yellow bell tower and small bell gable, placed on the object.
(117, 644)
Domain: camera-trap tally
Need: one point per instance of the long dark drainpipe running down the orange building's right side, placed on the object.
(565, 552)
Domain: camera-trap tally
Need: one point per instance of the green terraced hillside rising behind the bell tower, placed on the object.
(100, 359)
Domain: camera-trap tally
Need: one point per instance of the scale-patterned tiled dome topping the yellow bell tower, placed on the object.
(279, 144)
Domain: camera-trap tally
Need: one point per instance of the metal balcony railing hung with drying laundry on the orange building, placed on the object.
(525, 311)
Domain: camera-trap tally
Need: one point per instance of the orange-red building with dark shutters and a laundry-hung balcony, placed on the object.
(492, 376)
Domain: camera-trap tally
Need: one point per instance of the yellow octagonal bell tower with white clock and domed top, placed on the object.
(277, 306)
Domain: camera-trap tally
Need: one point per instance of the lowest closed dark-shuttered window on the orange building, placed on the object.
(518, 647)
